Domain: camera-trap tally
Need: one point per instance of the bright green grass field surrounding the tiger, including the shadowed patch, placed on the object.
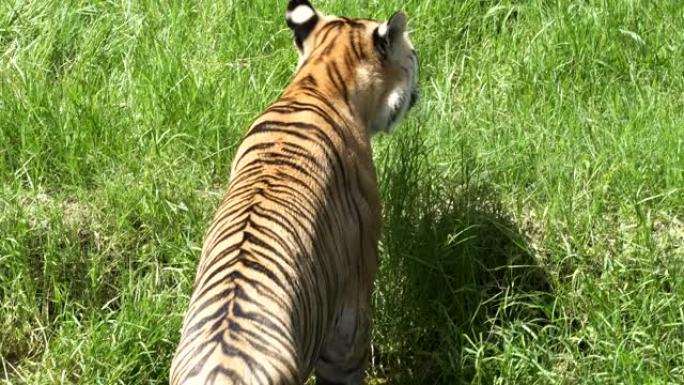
(534, 200)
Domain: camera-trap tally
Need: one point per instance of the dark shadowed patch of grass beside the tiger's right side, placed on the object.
(458, 267)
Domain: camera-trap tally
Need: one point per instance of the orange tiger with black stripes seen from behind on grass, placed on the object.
(284, 283)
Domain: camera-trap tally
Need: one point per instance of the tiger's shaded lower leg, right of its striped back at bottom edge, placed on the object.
(344, 356)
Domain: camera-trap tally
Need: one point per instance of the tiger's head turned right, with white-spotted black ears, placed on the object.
(369, 64)
